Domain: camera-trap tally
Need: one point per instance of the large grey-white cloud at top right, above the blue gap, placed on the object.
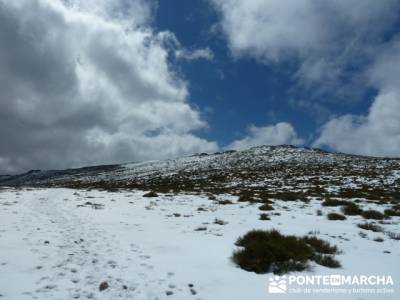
(325, 37)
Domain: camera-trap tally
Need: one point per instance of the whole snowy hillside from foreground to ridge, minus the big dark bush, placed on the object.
(96, 232)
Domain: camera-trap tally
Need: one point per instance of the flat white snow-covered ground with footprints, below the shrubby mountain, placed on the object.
(54, 246)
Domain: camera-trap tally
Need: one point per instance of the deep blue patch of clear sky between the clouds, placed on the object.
(234, 93)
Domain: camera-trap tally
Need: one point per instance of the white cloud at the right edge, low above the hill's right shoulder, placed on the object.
(377, 133)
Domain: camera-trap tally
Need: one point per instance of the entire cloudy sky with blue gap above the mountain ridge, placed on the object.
(87, 82)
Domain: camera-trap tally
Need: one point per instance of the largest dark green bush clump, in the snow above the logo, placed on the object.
(270, 251)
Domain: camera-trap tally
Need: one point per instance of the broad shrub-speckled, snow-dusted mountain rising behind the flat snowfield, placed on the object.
(269, 169)
